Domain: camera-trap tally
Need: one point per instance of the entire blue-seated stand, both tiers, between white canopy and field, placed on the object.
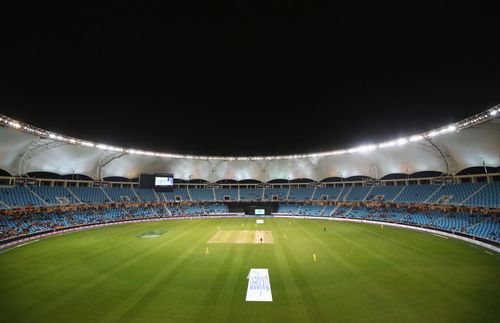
(468, 194)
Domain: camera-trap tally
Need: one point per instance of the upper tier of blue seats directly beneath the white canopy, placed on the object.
(465, 194)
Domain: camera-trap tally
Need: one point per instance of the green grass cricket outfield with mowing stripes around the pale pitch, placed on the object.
(362, 273)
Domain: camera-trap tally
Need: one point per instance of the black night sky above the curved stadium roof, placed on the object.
(241, 80)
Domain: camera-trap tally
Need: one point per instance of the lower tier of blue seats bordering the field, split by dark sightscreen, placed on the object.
(472, 224)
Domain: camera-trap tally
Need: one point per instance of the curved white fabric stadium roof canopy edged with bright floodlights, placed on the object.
(472, 142)
